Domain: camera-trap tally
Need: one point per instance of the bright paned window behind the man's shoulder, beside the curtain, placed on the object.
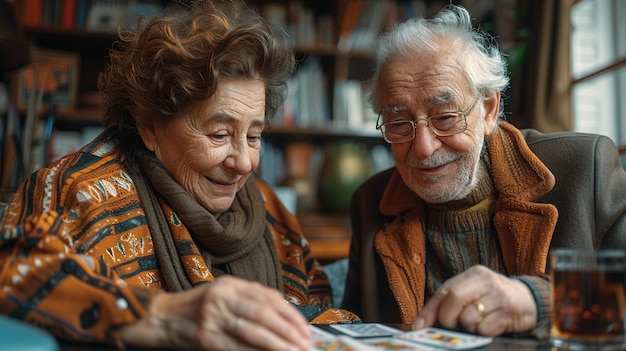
(598, 68)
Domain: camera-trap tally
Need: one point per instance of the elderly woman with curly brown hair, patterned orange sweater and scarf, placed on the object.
(157, 234)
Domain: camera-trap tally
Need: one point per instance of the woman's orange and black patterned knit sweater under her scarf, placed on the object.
(77, 258)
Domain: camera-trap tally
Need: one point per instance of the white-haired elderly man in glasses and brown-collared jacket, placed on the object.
(458, 233)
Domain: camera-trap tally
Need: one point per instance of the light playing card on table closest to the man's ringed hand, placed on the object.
(445, 338)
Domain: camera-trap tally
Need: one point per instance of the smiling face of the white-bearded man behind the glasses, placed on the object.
(438, 169)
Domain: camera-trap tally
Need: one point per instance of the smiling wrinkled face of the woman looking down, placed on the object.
(212, 148)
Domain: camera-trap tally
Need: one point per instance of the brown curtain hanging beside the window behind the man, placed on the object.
(541, 88)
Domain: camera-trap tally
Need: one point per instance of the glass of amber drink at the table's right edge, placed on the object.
(588, 298)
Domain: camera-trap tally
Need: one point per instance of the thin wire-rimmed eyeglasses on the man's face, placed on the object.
(444, 124)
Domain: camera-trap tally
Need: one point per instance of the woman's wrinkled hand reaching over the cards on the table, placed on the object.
(228, 314)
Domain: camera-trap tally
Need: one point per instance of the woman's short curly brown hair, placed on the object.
(179, 57)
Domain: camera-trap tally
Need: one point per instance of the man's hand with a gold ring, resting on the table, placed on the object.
(480, 301)
